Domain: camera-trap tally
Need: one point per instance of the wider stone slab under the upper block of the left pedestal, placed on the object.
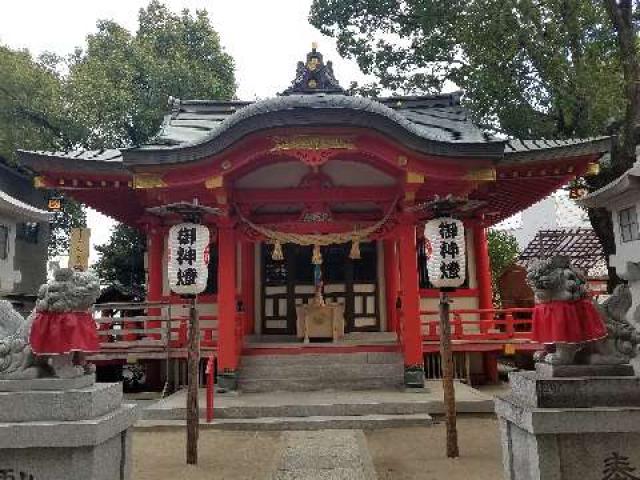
(64, 434)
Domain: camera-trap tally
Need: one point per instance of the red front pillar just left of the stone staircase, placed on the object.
(227, 344)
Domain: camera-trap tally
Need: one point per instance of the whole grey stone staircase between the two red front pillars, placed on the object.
(326, 371)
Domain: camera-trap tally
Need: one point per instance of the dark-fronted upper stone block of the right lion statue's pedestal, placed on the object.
(538, 390)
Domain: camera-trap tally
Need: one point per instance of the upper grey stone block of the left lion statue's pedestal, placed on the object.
(60, 405)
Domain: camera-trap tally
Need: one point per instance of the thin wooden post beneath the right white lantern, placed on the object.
(447, 376)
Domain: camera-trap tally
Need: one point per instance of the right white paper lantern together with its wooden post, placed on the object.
(447, 270)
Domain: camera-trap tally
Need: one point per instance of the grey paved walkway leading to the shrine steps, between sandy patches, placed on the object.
(325, 455)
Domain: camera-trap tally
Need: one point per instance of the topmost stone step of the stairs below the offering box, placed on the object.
(322, 359)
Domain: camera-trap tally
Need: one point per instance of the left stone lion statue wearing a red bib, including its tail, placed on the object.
(54, 339)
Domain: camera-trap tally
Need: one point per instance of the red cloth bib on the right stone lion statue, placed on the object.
(567, 322)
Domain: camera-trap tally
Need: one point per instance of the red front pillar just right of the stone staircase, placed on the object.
(412, 341)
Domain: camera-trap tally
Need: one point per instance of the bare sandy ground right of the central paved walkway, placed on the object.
(419, 452)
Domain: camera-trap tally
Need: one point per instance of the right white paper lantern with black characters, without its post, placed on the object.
(446, 262)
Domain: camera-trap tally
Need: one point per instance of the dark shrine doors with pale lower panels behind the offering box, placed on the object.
(289, 283)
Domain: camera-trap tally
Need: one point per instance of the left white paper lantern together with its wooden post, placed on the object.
(188, 272)
